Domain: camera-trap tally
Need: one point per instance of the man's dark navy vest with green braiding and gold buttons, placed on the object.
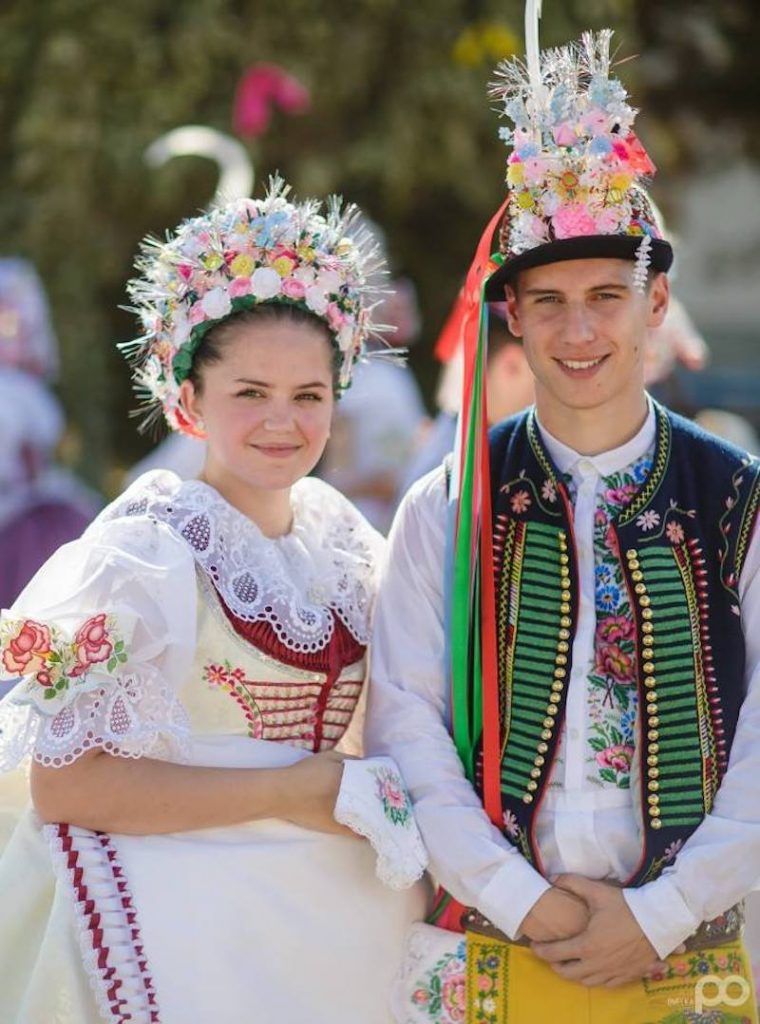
(682, 545)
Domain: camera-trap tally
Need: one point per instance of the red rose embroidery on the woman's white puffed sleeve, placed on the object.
(54, 665)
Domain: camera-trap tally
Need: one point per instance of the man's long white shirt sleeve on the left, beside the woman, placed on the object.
(407, 719)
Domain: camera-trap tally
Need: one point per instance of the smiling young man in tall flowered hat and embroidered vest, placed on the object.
(575, 702)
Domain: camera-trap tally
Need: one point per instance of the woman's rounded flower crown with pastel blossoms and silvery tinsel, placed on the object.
(239, 255)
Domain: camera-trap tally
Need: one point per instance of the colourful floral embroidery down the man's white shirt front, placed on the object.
(612, 694)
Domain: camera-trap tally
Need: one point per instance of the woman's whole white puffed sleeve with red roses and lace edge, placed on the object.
(101, 642)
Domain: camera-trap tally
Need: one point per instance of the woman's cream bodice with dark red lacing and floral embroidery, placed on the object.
(245, 681)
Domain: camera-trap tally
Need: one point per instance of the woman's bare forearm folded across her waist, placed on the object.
(145, 796)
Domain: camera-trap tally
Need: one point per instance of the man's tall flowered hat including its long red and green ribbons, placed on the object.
(576, 180)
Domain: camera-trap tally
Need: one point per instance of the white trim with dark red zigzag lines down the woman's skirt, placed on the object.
(87, 866)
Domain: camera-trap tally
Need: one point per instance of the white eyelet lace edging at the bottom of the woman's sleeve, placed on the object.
(133, 717)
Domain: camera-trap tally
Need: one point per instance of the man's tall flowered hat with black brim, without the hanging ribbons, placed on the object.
(577, 172)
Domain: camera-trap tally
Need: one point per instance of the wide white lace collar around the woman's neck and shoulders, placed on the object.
(327, 564)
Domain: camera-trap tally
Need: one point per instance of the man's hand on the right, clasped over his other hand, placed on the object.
(611, 951)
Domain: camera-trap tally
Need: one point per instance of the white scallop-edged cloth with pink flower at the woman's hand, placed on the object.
(402, 858)
